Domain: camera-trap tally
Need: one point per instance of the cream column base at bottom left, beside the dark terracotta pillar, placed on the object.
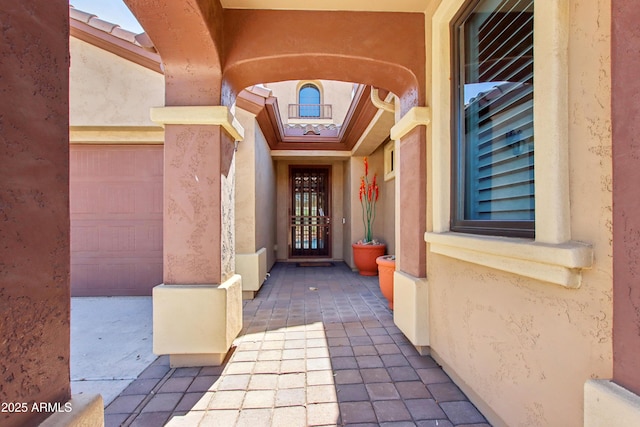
(83, 410)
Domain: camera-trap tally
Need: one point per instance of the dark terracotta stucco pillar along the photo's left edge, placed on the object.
(34, 206)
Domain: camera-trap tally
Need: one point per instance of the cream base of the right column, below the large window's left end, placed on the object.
(411, 309)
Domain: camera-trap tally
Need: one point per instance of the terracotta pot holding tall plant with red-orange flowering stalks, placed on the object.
(366, 251)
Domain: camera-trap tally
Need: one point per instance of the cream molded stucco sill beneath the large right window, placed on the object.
(561, 264)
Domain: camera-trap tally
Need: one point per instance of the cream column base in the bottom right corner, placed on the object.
(608, 404)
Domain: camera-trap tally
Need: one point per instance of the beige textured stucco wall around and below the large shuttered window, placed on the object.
(521, 348)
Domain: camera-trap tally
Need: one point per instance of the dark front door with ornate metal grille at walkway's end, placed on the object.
(310, 211)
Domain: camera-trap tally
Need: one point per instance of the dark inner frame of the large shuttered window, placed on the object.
(514, 228)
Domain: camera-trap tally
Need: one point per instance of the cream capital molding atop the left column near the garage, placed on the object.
(199, 115)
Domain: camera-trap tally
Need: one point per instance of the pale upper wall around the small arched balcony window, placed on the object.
(338, 94)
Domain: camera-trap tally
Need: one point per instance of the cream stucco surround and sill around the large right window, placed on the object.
(552, 256)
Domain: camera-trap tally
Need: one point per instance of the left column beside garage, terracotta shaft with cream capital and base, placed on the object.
(197, 311)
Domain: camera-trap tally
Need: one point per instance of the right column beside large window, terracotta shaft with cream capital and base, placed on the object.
(411, 296)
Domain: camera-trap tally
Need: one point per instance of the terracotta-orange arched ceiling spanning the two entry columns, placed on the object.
(211, 50)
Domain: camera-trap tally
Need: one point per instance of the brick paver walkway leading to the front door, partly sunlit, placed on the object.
(318, 347)
